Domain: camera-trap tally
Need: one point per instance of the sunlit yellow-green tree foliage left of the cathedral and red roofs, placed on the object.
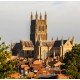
(6, 67)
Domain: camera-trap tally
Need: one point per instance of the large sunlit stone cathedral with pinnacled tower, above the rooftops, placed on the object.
(39, 47)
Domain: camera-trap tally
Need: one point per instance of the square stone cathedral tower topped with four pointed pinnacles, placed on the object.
(38, 28)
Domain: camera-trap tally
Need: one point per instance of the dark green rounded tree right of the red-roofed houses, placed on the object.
(72, 62)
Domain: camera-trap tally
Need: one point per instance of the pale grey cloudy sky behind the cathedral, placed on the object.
(63, 19)
